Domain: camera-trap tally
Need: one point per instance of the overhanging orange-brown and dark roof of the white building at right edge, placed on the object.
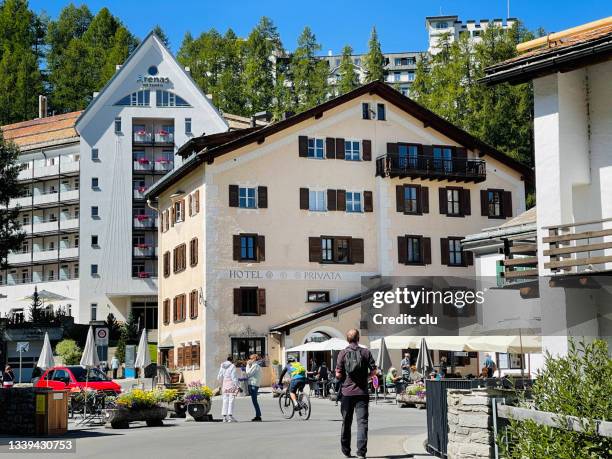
(562, 51)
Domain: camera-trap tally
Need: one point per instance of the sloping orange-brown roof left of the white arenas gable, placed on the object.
(39, 132)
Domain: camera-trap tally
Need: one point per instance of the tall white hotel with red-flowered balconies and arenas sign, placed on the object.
(90, 235)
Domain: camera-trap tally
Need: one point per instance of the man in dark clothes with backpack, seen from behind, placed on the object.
(354, 365)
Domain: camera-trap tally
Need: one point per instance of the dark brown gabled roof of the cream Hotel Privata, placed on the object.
(427, 117)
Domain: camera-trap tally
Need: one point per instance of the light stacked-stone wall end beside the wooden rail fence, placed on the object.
(470, 424)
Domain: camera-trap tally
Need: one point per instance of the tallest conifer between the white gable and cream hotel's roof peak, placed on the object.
(261, 46)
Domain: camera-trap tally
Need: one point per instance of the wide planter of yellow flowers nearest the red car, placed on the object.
(134, 405)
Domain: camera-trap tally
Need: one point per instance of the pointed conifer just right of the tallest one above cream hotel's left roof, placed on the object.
(308, 73)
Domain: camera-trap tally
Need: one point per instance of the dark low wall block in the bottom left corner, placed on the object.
(18, 411)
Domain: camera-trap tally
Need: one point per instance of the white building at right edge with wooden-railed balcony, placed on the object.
(562, 253)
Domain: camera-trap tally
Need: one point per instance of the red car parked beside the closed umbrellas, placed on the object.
(75, 378)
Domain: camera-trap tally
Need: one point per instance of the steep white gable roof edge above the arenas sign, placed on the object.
(149, 40)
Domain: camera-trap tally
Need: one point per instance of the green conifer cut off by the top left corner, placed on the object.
(21, 80)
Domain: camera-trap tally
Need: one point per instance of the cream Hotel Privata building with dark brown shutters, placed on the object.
(265, 235)
